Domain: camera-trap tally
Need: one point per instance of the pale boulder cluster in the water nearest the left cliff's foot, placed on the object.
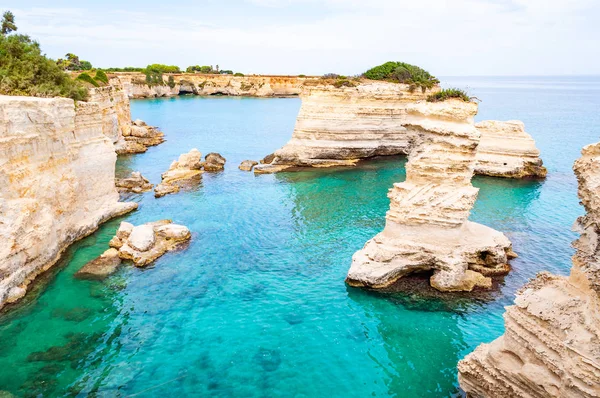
(145, 243)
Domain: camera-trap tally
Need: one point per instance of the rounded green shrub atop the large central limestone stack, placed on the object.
(402, 72)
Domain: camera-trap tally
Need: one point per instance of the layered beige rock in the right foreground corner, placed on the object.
(551, 344)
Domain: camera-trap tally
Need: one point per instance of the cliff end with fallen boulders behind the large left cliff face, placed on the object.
(128, 136)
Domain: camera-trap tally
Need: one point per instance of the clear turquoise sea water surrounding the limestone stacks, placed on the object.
(256, 304)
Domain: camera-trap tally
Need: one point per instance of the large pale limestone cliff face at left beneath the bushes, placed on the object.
(57, 184)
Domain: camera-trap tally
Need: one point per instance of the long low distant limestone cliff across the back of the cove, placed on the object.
(210, 84)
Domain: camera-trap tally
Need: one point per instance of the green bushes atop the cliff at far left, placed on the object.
(24, 70)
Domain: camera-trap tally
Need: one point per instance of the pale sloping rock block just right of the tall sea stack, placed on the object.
(506, 150)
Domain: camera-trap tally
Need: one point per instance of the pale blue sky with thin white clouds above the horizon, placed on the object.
(313, 37)
